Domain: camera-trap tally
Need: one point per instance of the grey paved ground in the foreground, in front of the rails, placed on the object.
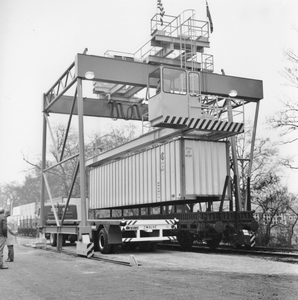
(40, 274)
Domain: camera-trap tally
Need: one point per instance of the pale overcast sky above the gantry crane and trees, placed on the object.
(40, 38)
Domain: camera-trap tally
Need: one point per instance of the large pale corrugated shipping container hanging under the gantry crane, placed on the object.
(171, 171)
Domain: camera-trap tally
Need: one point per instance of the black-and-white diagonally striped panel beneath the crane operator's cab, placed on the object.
(205, 124)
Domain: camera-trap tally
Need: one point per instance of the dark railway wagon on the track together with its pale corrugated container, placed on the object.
(185, 179)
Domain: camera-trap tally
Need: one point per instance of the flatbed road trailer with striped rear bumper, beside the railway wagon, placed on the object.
(107, 233)
